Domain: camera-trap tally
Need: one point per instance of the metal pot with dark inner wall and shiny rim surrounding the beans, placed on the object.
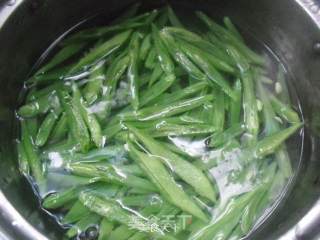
(289, 27)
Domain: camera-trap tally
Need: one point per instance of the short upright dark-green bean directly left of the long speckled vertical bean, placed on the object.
(235, 105)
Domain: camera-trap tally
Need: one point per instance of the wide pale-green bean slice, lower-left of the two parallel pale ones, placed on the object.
(166, 185)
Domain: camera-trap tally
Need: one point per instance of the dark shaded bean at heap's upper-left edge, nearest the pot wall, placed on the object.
(64, 54)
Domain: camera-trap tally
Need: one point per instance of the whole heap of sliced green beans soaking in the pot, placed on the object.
(105, 110)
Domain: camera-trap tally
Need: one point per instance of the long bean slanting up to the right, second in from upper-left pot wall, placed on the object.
(101, 51)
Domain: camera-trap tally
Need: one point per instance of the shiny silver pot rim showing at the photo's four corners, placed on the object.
(9, 216)
